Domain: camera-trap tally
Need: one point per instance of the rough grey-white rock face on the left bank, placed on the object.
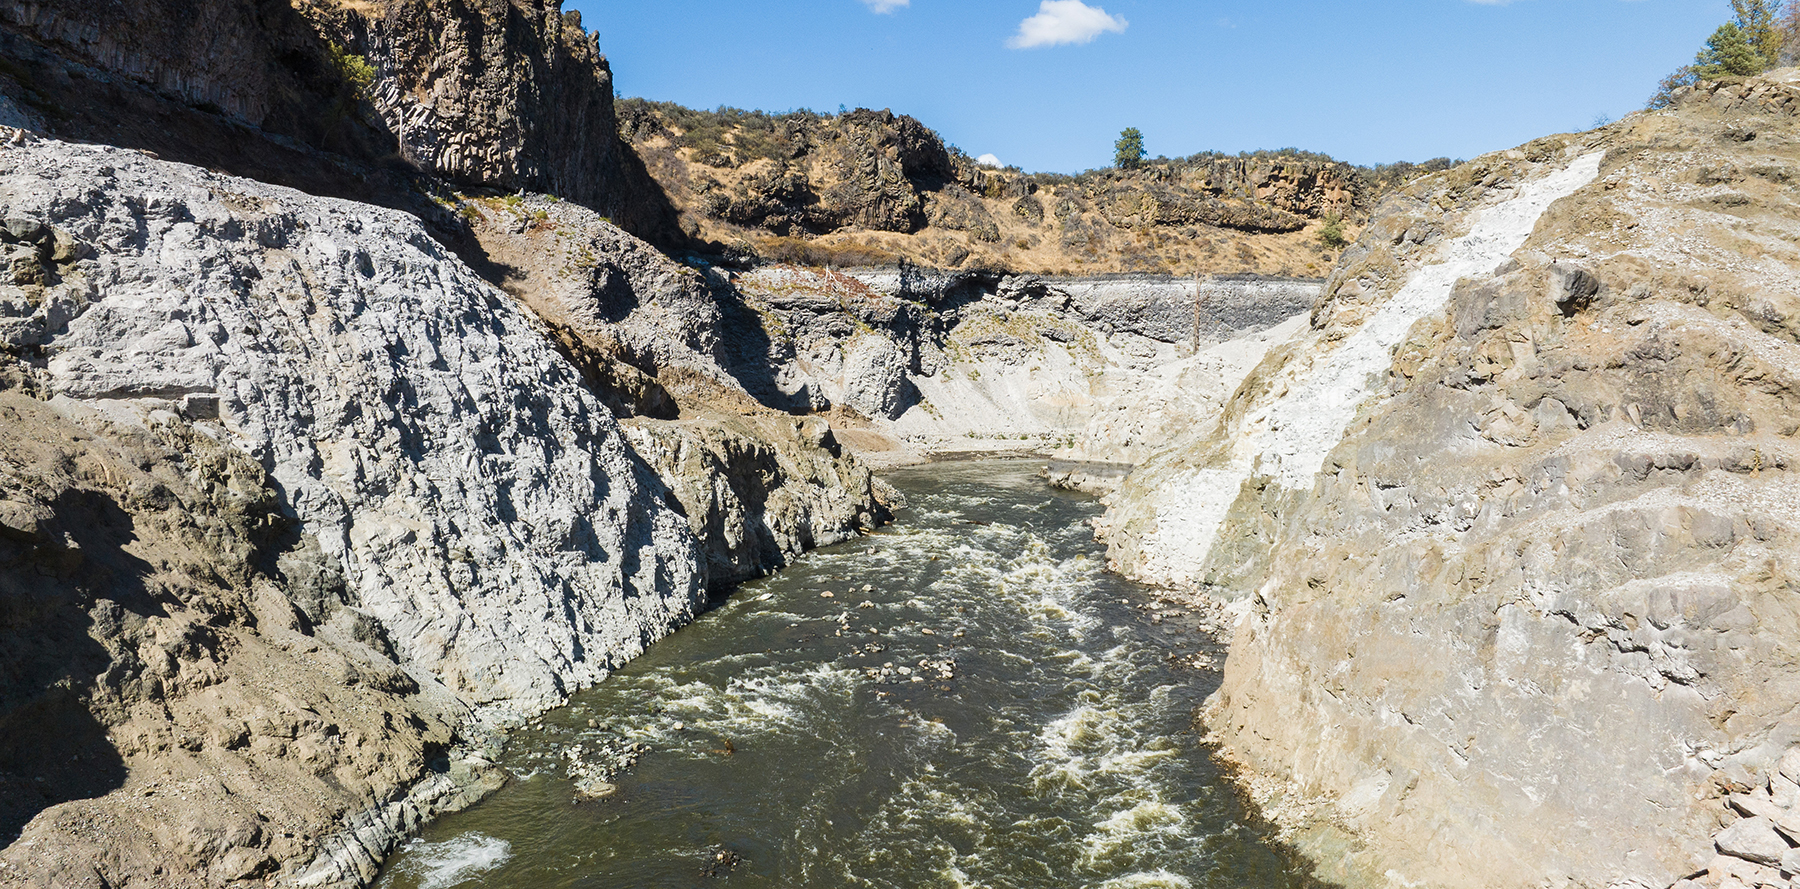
(481, 503)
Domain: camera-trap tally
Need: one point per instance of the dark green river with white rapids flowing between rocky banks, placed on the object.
(976, 705)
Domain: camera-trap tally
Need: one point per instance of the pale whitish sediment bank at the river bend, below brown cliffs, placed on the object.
(1092, 370)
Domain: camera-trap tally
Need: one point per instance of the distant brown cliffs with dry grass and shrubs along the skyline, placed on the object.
(872, 188)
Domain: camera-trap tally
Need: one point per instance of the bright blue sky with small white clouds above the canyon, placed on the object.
(1362, 80)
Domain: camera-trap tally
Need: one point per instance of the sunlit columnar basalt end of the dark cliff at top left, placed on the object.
(510, 96)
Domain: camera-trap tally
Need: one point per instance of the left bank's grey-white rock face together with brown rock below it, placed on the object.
(481, 532)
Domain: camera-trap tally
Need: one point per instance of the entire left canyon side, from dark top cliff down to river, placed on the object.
(300, 503)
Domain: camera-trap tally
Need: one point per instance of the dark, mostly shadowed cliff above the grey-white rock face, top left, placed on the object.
(368, 100)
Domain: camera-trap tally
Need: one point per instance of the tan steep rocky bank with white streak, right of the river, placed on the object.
(1515, 523)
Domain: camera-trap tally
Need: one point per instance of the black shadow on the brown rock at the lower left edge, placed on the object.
(55, 580)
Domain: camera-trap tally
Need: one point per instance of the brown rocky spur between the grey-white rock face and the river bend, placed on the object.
(678, 357)
